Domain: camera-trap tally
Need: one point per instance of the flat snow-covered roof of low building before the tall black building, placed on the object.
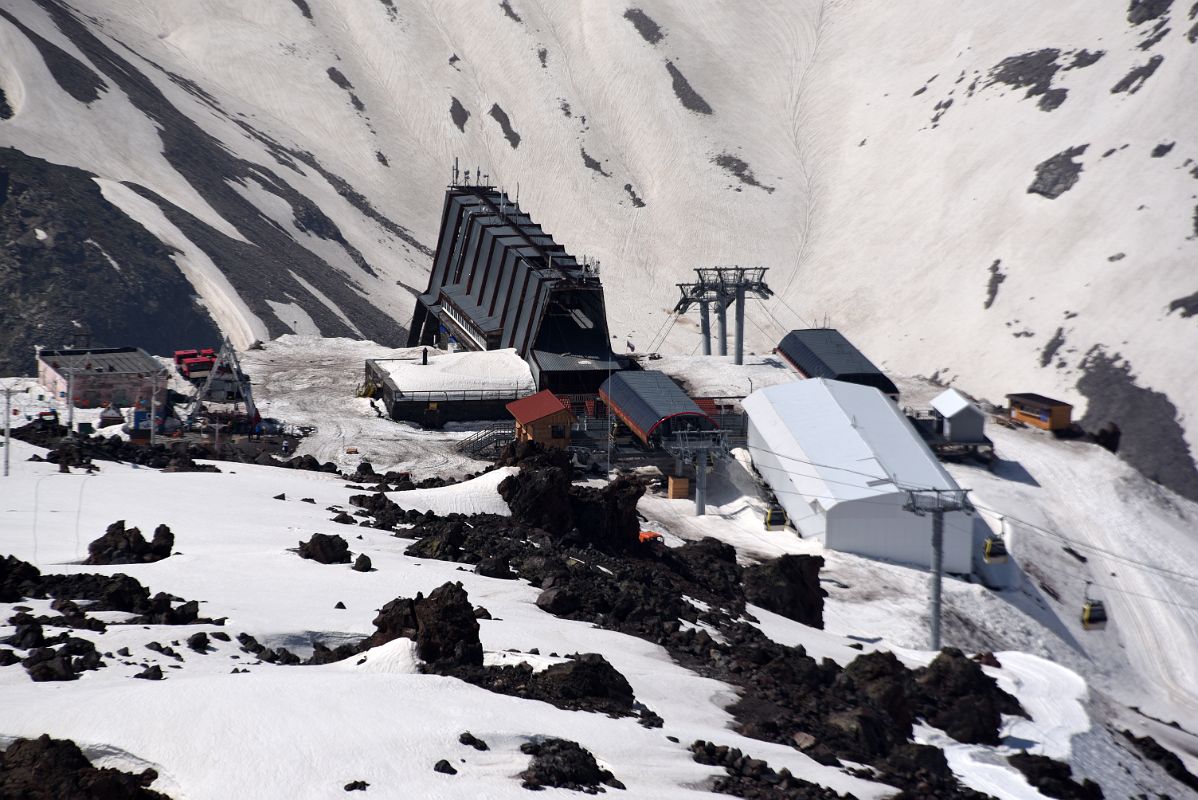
(485, 371)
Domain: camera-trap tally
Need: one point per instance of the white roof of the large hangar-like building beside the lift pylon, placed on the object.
(843, 441)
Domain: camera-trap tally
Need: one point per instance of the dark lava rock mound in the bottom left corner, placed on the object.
(56, 769)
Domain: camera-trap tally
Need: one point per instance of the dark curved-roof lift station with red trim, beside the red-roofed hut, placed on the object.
(652, 405)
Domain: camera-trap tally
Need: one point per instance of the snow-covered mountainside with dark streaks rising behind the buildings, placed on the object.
(295, 153)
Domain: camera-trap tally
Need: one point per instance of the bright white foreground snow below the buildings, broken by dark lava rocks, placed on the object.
(291, 731)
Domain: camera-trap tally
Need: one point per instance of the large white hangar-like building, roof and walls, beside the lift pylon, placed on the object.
(839, 457)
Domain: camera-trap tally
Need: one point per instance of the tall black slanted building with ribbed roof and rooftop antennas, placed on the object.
(499, 281)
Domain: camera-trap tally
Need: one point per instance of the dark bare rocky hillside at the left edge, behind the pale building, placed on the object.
(46, 284)
